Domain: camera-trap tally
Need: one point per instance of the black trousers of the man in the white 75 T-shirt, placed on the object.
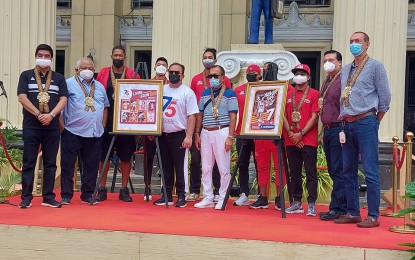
(172, 159)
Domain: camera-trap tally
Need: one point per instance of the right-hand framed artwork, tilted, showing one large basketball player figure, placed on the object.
(263, 115)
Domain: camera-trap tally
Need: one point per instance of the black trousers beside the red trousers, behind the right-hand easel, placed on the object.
(244, 159)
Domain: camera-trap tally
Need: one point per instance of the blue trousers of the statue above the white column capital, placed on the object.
(257, 7)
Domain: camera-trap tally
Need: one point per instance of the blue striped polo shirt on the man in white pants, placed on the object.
(228, 104)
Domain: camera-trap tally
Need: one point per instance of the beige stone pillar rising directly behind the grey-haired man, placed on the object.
(94, 27)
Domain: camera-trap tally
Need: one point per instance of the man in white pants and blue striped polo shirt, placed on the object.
(218, 107)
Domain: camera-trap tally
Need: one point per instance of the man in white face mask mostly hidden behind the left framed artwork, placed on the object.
(160, 68)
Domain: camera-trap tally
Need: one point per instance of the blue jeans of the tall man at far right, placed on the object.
(362, 138)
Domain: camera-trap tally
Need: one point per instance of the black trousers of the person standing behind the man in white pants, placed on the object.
(196, 172)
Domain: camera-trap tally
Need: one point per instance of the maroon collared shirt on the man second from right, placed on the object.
(331, 104)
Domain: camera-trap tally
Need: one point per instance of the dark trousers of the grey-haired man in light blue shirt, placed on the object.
(89, 150)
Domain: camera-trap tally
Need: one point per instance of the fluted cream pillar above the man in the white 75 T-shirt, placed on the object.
(183, 29)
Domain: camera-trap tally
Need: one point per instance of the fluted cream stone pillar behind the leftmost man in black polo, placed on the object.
(24, 25)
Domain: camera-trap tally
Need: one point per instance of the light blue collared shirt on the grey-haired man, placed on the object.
(76, 119)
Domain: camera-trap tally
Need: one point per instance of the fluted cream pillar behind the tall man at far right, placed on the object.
(386, 24)
